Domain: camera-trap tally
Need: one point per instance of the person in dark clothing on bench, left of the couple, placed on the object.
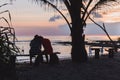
(35, 48)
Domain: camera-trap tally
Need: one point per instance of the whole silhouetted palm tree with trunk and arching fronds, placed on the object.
(79, 11)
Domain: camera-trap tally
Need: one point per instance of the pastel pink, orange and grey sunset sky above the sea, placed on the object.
(28, 18)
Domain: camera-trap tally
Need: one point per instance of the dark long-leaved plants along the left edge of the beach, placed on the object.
(8, 49)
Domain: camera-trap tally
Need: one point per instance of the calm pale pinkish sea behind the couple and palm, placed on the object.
(65, 49)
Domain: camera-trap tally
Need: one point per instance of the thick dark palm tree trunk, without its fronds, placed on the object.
(78, 51)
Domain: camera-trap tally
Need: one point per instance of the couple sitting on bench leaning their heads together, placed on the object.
(35, 49)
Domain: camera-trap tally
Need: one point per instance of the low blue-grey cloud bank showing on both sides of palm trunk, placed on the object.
(92, 29)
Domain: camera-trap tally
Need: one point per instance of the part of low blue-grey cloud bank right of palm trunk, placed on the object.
(112, 29)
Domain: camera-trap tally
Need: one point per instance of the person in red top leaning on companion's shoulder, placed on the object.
(47, 48)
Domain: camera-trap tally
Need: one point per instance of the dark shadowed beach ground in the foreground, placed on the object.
(95, 69)
